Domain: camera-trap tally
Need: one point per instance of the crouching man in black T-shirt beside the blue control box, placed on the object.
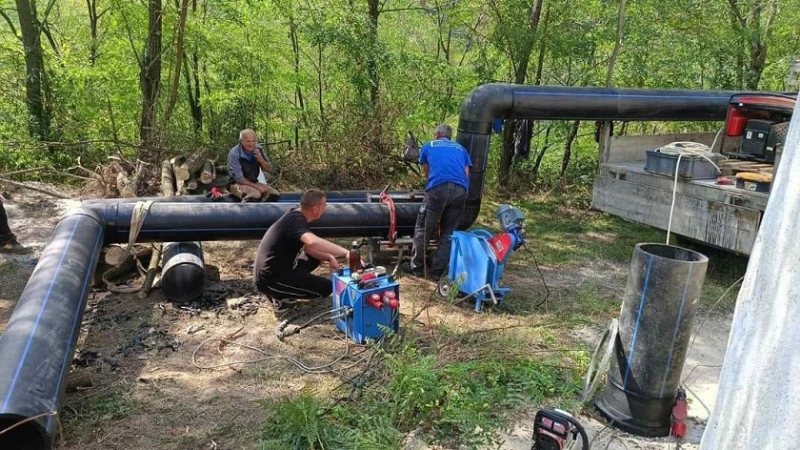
(289, 252)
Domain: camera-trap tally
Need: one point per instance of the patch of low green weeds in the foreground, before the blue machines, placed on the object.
(462, 403)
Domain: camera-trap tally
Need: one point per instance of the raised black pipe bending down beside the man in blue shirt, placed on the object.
(509, 101)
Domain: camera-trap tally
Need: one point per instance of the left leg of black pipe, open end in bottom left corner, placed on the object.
(39, 339)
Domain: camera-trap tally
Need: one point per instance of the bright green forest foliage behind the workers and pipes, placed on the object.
(304, 74)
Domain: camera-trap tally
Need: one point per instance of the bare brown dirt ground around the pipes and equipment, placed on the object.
(134, 385)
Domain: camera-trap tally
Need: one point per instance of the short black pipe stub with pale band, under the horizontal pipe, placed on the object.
(183, 272)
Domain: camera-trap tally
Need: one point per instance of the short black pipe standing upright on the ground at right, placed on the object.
(655, 324)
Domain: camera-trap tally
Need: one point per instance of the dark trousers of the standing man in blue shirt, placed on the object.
(444, 204)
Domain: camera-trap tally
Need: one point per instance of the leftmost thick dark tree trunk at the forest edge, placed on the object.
(35, 76)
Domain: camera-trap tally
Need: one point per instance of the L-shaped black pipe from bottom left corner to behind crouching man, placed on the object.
(37, 345)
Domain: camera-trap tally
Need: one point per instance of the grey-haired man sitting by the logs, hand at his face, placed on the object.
(245, 161)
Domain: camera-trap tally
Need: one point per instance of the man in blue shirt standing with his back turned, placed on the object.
(446, 164)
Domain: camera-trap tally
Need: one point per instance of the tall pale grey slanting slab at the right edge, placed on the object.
(758, 403)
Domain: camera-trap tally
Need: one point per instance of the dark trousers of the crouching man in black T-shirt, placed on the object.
(298, 282)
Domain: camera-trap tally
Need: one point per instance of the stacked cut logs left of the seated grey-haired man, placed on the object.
(193, 174)
